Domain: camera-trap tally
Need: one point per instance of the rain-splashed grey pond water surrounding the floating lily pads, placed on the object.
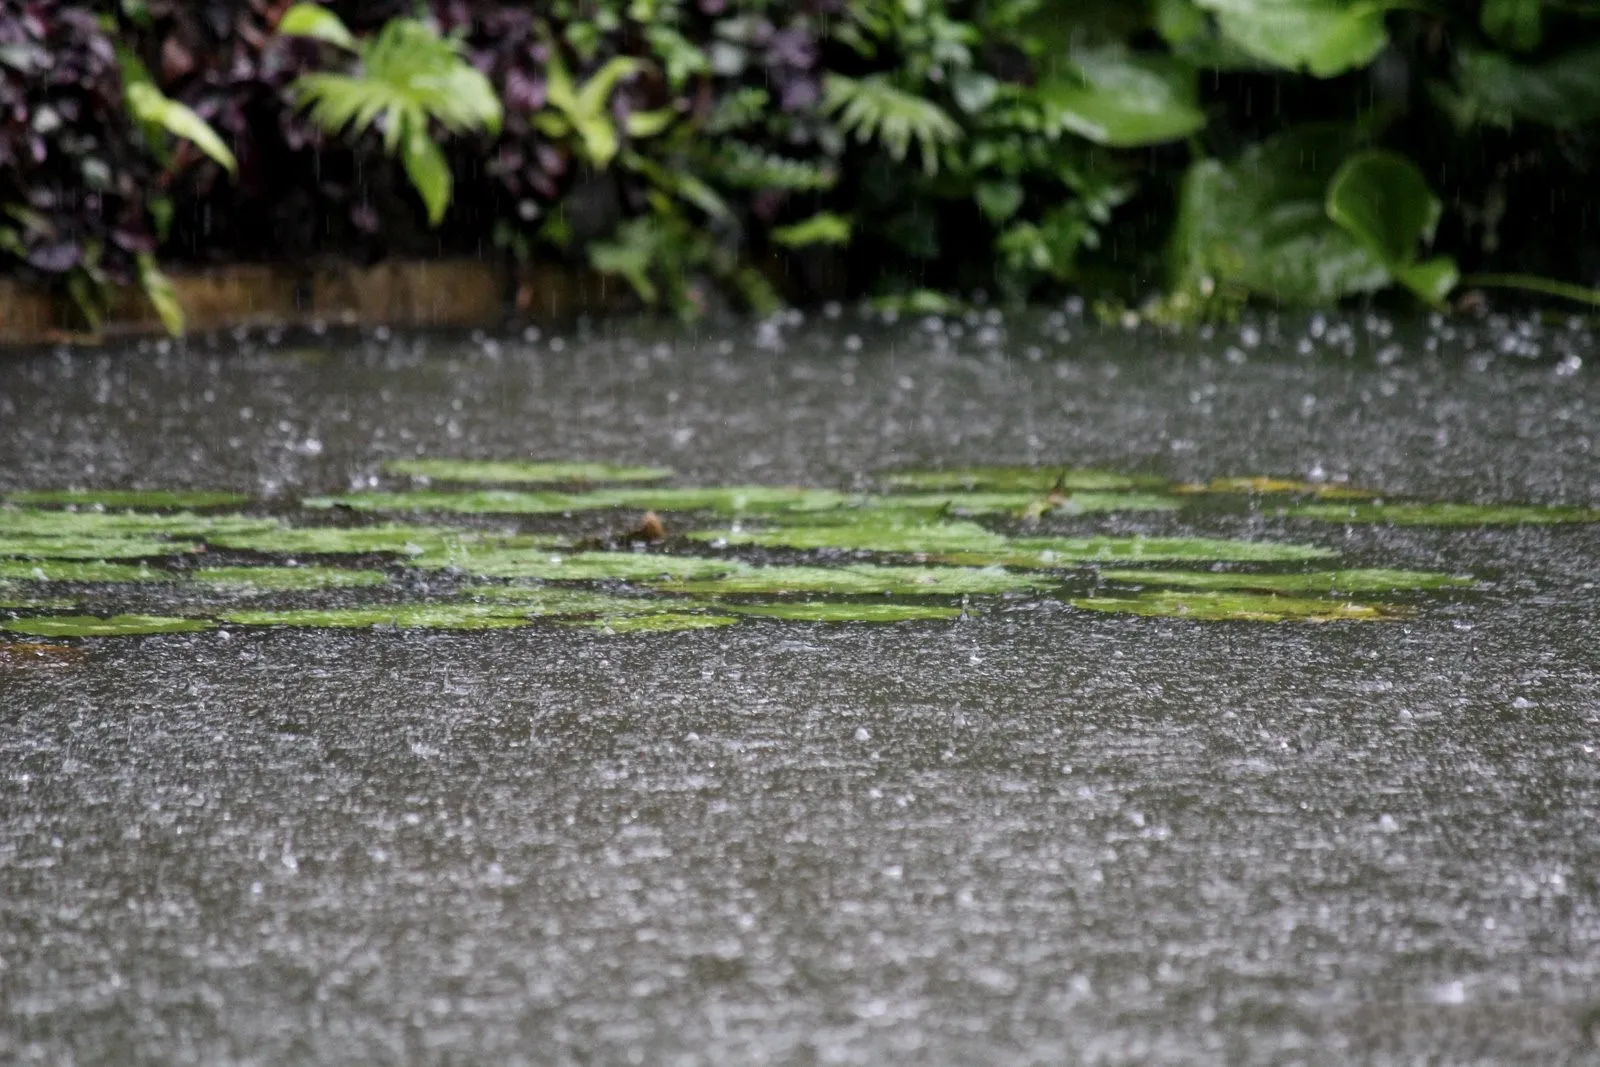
(1038, 836)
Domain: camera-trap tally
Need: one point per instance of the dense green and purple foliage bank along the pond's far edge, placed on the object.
(1186, 156)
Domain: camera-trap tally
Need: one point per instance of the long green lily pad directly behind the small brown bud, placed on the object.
(756, 500)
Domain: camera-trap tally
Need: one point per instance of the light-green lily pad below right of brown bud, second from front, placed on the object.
(863, 580)
